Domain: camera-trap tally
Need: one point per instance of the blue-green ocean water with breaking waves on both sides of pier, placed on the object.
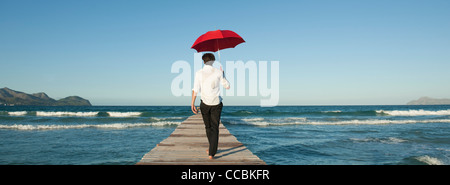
(283, 135)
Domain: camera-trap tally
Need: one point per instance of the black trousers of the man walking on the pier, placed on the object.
(211, 118)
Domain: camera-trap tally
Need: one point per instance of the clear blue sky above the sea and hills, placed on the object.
(117, 52)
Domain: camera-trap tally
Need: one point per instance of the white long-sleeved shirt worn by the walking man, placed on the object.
(207, 82)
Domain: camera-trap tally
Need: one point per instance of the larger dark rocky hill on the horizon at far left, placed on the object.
(12, 97)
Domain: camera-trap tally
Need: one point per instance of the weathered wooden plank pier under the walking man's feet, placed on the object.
(187, 145)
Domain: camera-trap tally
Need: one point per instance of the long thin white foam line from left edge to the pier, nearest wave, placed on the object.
(81, 126)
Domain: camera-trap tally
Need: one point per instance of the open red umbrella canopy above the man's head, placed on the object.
(217, 40)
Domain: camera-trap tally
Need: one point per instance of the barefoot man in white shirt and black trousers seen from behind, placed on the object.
(207, 80)
